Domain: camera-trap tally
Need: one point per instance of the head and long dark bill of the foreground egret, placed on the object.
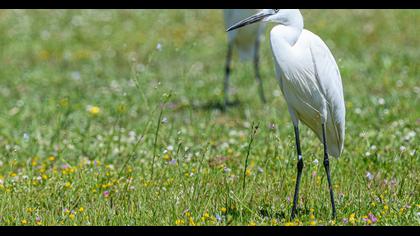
(288, 17)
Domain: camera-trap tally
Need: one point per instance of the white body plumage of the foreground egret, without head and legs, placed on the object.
(311, 84)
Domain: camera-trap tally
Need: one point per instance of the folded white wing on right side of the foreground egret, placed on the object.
(329, 80)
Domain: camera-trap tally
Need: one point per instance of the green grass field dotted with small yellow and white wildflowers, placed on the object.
(109, 118)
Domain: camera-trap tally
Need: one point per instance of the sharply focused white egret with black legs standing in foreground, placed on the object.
(310, 82)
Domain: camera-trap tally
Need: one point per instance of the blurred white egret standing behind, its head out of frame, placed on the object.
(247, 42)
